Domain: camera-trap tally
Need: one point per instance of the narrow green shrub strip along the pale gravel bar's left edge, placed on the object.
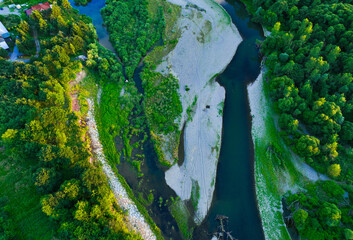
(162, 101)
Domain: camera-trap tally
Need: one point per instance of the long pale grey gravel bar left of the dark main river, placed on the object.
(207, 44)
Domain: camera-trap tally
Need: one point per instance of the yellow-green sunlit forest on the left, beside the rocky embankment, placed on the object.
(40, 130)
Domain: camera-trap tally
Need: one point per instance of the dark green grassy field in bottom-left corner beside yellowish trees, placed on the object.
(23, 202)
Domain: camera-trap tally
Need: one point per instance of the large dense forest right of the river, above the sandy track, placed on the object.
(310, 77)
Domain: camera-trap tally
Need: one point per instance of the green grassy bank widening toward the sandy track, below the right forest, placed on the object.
(273, 178)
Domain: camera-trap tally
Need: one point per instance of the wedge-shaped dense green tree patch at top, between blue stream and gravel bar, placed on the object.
(133, 30)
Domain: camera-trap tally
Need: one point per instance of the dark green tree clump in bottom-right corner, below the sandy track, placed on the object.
(322, 212)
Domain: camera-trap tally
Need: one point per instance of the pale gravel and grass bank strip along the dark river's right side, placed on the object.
(266, 175)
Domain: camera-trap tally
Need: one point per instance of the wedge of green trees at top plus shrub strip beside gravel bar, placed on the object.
(135, 27)
